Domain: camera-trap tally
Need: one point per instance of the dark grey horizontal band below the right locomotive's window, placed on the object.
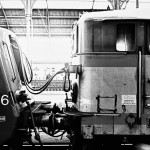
(124, 60)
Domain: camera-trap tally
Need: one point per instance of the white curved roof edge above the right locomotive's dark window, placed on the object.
(136, 14)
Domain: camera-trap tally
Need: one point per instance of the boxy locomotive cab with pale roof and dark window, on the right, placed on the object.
(113, 89)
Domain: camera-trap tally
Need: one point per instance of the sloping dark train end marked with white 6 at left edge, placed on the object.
(10, 83)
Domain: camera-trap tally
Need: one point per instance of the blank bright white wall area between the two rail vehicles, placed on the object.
(44, 50)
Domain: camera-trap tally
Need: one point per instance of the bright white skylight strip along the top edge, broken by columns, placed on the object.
(71, 4)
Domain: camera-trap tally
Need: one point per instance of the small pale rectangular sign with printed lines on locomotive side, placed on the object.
(128, 99)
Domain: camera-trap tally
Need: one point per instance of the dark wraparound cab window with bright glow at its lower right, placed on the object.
(108, 36)
